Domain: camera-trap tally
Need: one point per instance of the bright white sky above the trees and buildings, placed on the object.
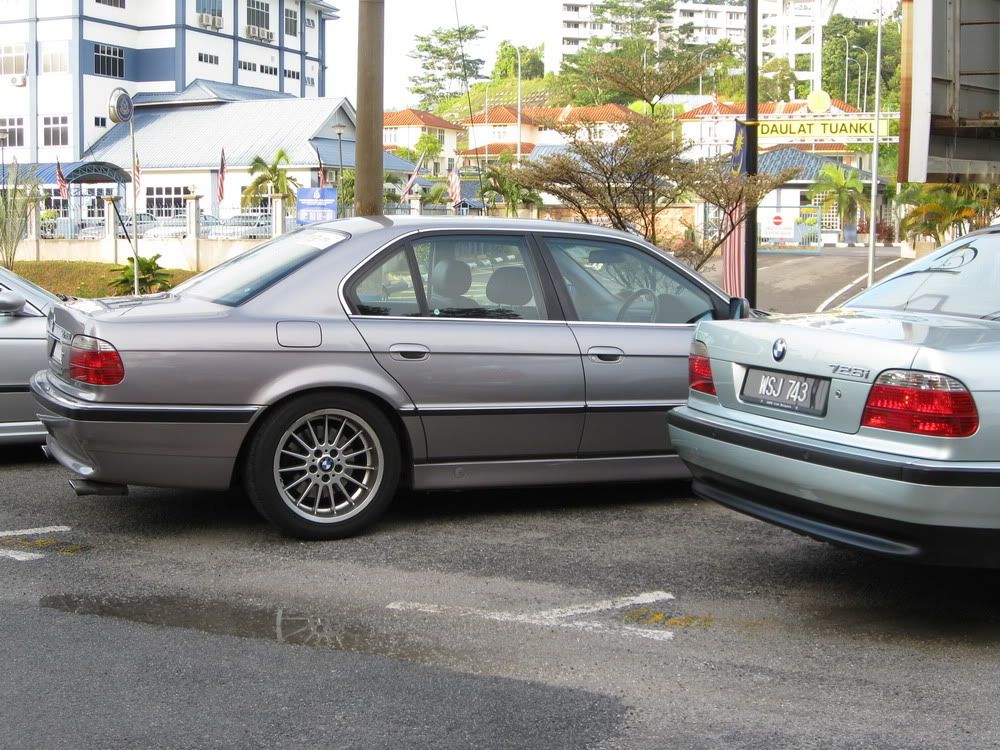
(517, 21)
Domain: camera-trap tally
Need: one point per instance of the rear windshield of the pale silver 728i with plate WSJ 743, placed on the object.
(962, 279)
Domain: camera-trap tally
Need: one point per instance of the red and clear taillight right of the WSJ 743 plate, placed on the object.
(923, 403)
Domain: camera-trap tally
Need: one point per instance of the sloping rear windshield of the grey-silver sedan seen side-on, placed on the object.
(248, 274)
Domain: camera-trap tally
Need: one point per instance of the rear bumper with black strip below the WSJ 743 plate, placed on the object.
(939, 513)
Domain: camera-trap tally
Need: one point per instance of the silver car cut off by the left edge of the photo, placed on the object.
(23, 307)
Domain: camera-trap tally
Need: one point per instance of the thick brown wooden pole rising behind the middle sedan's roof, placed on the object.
(368, 191)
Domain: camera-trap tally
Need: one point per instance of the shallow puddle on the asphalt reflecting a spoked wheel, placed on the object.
(266, 623)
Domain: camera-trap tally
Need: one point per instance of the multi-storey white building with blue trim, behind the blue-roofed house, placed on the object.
(61, 59)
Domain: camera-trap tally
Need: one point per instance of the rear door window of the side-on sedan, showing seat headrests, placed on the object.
(479, 276)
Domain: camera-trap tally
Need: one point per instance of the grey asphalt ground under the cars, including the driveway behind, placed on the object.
(620, 616)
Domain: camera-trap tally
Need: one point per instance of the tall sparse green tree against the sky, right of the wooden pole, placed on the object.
(444, 67)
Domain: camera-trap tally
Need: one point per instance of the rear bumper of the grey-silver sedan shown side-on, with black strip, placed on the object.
(193, 447)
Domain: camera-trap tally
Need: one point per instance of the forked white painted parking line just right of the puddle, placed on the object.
(554, 617)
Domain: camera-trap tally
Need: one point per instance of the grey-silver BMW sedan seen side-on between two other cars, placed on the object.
(326, 367)
